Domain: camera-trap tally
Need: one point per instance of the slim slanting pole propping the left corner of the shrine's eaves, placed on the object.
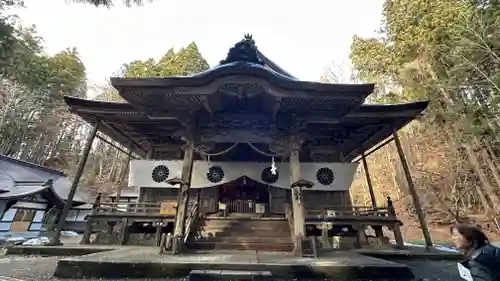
(69, 201)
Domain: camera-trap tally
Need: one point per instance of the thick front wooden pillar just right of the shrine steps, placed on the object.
(297, 203)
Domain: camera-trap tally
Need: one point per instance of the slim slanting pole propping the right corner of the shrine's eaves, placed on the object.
(413, 192)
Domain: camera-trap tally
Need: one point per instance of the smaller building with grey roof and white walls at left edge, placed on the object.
(32, 196)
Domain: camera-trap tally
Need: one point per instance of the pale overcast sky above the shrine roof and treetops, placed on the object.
(301, 36)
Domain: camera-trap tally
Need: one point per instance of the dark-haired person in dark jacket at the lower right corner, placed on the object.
(481, 258)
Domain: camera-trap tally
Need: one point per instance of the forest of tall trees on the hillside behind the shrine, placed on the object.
(447, 51)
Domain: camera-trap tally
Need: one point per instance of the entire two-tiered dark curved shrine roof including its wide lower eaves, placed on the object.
(246, 98)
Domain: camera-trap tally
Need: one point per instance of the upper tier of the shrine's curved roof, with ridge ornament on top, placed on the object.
(245, 73)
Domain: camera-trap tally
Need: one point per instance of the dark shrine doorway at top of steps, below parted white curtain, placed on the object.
(244, 196)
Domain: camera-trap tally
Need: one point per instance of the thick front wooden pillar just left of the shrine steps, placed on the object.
(183, 198)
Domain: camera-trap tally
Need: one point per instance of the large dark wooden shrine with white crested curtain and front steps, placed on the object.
(246, 155)
